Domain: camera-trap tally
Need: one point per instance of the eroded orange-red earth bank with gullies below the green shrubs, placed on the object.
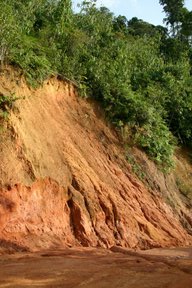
(64, 180)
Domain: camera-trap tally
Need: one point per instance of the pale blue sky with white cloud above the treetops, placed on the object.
(148, 10)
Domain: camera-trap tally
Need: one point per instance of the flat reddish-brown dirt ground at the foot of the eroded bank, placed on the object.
(98, 268)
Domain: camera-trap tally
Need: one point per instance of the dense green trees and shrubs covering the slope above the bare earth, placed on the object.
(139, 72)
